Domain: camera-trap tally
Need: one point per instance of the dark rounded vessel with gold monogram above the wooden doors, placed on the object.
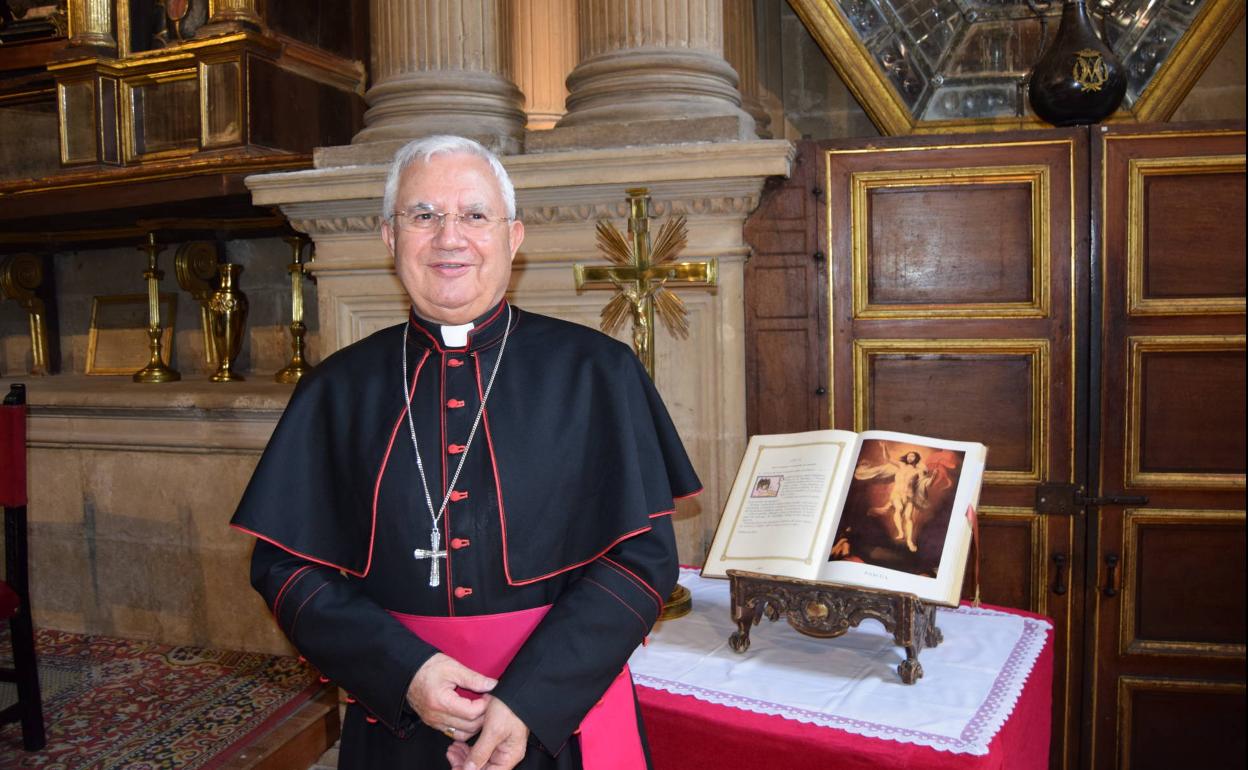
(1078, 80)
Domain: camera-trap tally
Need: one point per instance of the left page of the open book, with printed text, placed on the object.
(783, 505)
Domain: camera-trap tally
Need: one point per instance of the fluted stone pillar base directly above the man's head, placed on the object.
(442, 68)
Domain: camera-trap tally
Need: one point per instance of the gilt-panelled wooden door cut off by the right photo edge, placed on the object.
(1166, 593)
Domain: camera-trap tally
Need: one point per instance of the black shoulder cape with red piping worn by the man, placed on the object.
(575, 425)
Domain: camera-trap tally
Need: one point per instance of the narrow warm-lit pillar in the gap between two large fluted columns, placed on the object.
(545, 51)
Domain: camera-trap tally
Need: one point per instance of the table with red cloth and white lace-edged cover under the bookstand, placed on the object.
(691, 724)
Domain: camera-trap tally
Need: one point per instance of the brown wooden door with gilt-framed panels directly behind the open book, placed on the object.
(957, 266)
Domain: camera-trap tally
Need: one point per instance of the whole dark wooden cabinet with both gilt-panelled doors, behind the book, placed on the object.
(1074, 299)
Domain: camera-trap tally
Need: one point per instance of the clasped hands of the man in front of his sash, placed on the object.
(432, 696)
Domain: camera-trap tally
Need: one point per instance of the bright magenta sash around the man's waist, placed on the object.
(610, 738)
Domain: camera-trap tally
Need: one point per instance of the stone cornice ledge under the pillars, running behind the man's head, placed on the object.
(600, 169)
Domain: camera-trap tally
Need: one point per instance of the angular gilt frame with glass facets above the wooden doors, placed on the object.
(922, 67)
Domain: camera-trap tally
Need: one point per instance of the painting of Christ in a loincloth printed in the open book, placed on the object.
(899, 505)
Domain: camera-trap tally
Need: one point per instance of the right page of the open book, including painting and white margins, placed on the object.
(904, 525)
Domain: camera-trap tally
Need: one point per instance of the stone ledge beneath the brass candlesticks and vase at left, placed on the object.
(193, 416)
